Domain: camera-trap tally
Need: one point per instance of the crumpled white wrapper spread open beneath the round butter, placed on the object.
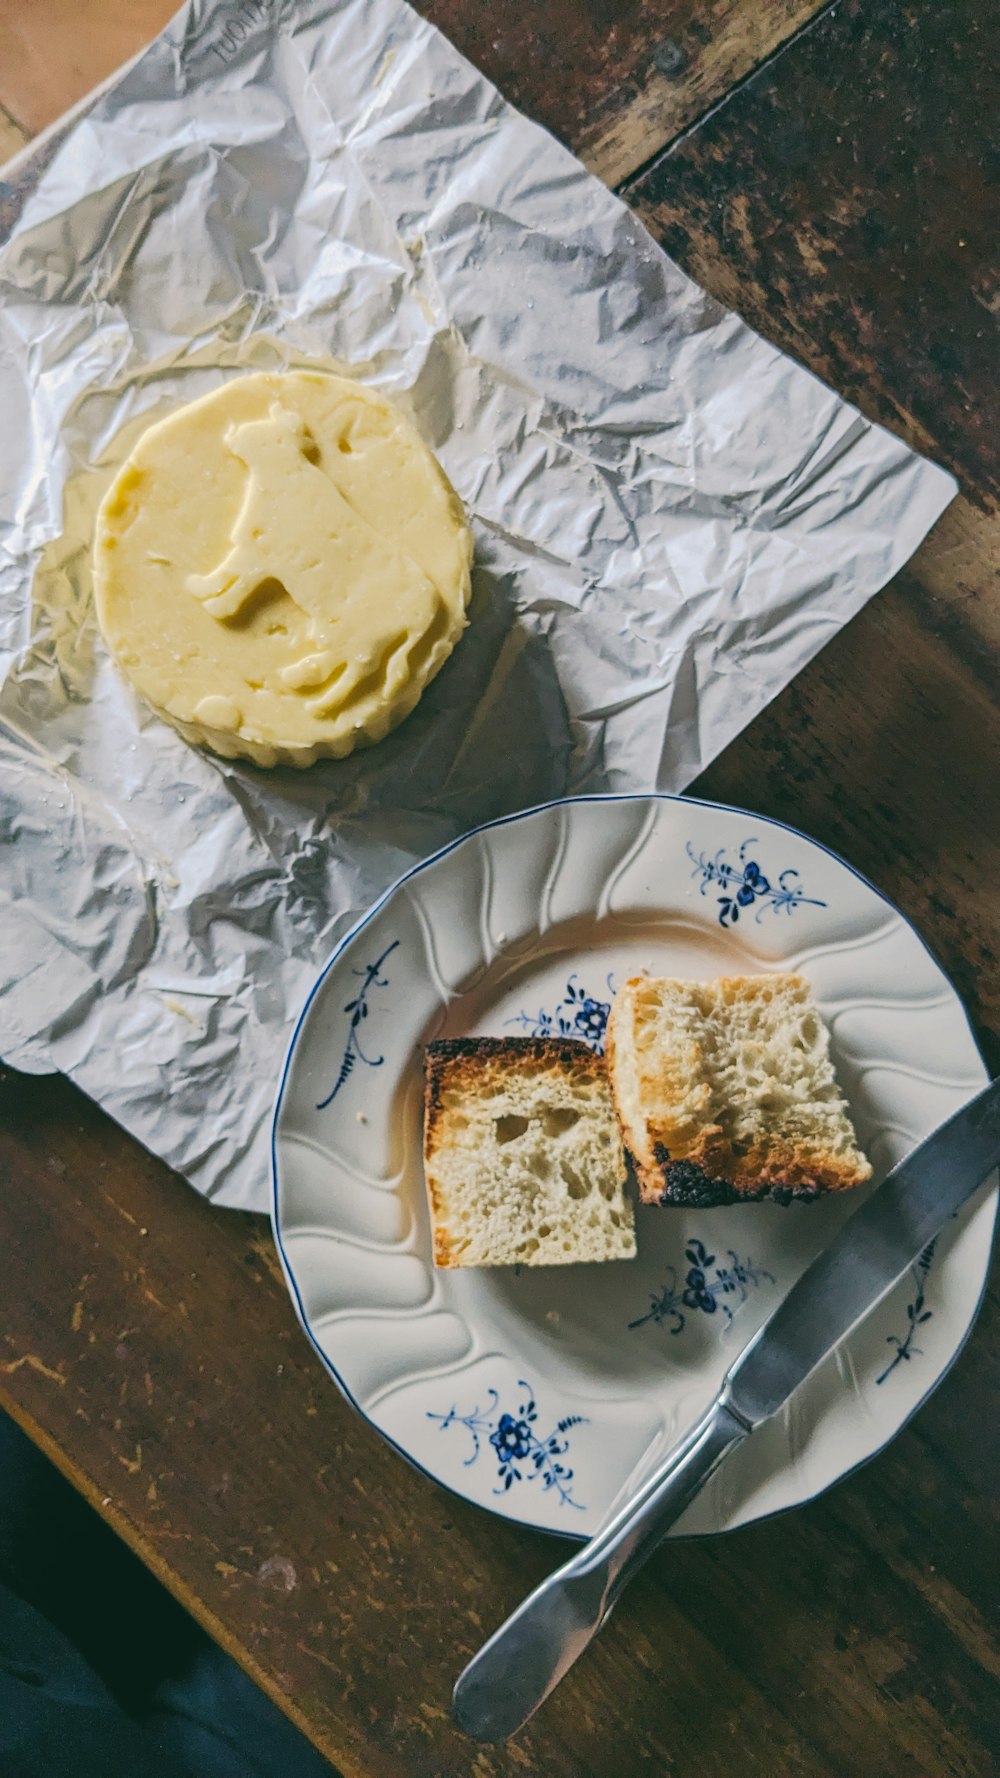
(670, 520)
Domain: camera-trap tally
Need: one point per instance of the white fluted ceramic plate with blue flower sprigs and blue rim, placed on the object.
(536, 1393)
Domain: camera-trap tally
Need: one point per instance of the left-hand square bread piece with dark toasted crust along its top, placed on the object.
(522, 1155)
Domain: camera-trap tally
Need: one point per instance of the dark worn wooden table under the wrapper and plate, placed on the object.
(828, 172)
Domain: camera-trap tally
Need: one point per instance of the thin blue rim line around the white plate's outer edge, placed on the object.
(506, 821)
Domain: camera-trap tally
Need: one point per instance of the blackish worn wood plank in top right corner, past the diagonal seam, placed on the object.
(848, 202)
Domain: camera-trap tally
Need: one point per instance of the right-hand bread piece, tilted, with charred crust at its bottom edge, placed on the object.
(727, 1093)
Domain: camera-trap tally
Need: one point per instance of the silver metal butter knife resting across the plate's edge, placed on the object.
(531, 1653)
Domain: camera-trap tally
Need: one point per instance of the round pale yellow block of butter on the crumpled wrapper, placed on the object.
(282, 568)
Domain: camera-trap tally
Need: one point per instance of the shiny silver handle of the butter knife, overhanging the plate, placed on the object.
(531, 1653)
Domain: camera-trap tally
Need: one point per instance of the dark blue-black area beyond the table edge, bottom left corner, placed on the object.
(102, 1674)
